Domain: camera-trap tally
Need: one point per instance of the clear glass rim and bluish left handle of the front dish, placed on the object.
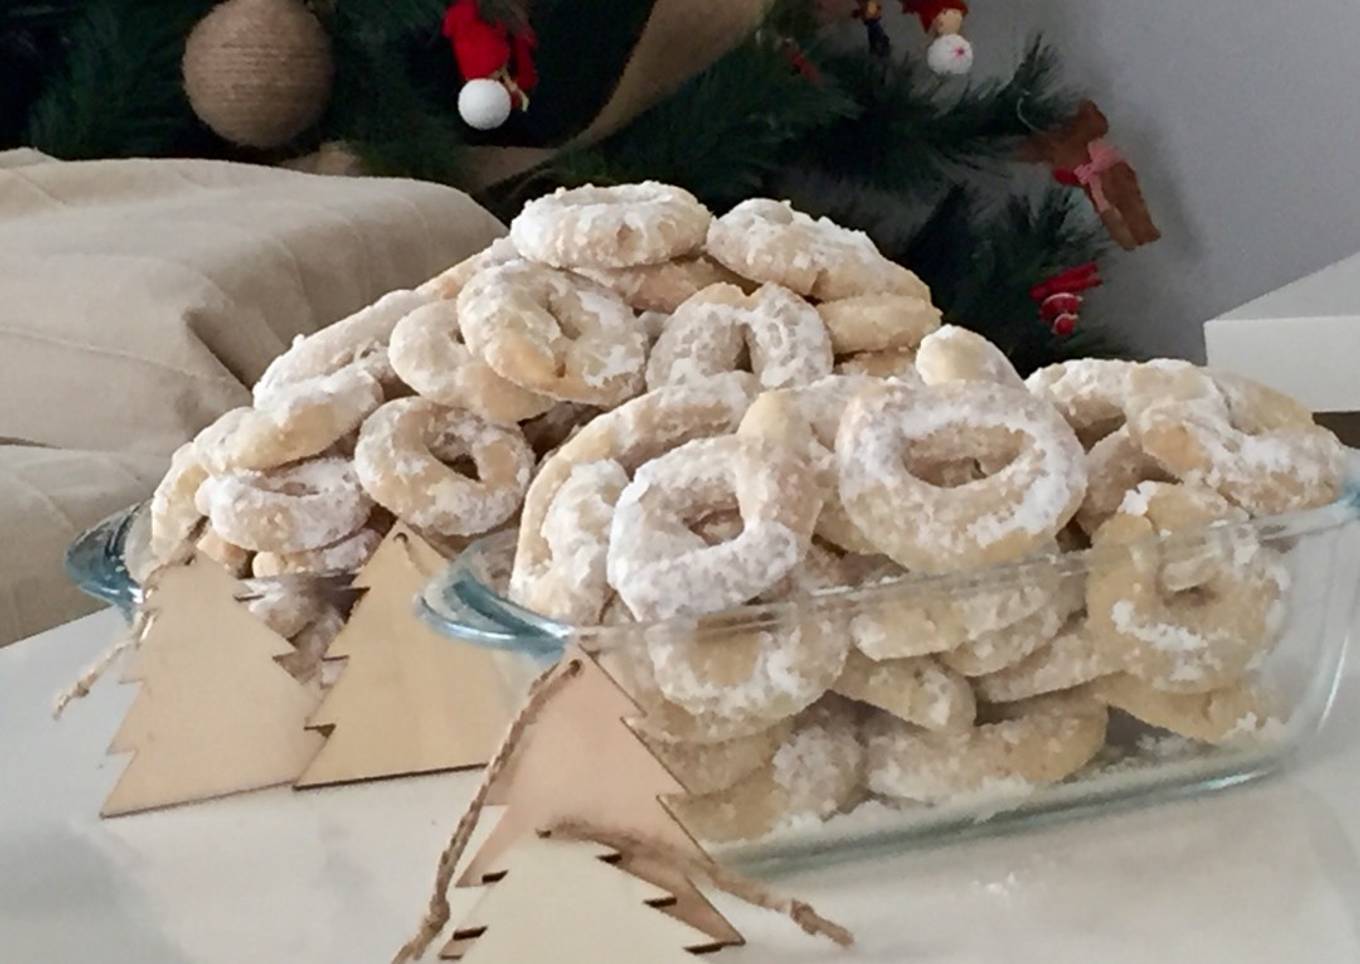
(458, 596)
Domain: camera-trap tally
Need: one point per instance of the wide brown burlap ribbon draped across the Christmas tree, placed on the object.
(681, 39)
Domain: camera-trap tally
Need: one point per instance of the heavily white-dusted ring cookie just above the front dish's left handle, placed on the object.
(663, 570)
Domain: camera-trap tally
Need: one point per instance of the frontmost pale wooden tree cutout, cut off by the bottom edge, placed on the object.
(560, 902)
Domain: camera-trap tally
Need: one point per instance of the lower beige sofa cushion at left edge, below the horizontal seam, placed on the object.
(48, 497)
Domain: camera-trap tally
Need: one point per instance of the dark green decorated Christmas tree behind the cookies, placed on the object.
(728, 99)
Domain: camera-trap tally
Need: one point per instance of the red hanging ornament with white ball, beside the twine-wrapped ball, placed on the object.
(496, 62)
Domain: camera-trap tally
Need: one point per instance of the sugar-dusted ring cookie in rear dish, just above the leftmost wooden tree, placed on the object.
(292, 509)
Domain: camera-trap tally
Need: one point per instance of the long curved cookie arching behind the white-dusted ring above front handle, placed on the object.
(630, 436)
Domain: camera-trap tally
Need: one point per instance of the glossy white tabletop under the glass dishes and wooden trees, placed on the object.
(1264, 875)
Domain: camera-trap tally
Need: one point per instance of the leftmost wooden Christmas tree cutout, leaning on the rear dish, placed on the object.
(216, 713)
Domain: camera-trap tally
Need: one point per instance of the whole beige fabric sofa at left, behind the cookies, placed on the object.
(142, 298)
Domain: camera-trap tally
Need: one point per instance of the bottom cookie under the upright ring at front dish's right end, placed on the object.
(1218, 717)
